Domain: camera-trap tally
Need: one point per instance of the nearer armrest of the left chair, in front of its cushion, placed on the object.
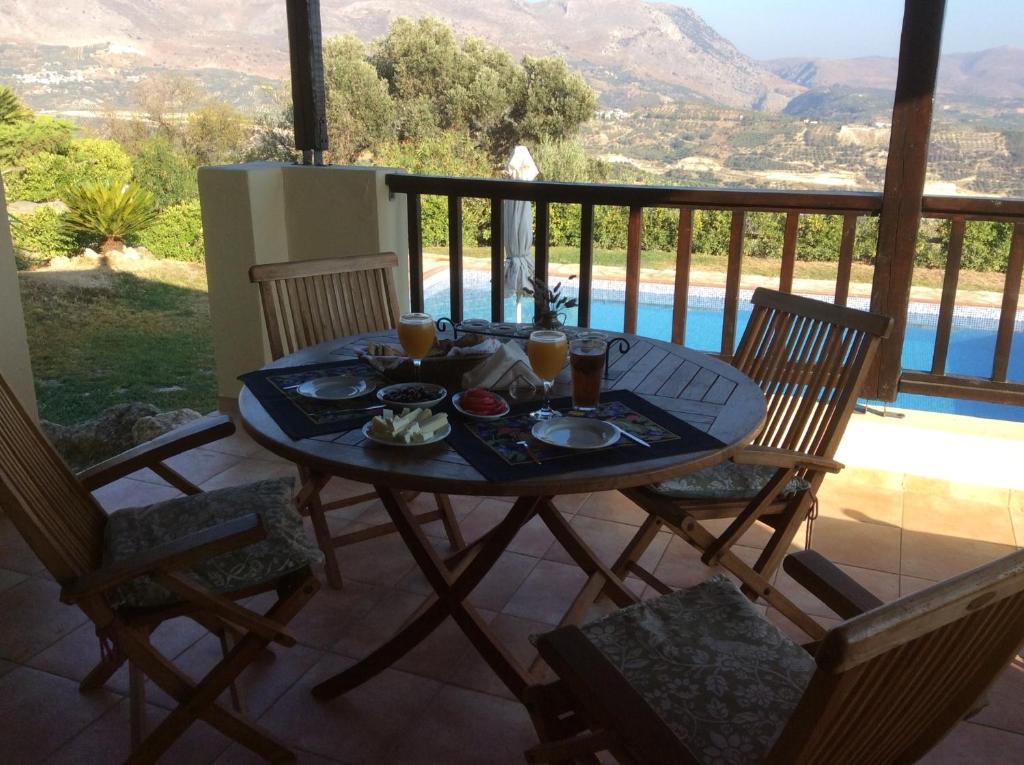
(182, 552)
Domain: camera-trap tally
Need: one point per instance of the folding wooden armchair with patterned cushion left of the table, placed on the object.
(193, 557)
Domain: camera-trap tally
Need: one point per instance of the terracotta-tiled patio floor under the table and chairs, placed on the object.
(893, 532)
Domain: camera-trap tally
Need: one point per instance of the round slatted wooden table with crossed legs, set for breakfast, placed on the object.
(696, 388)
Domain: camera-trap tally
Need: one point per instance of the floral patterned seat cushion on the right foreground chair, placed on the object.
(721, 676)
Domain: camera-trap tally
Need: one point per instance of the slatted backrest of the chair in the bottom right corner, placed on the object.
(892, 683)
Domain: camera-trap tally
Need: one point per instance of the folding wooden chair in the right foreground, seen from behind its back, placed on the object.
(701, 676)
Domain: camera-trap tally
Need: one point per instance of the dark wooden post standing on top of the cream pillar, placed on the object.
(309, 96)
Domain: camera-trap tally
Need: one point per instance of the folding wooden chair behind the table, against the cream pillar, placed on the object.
(312, 302)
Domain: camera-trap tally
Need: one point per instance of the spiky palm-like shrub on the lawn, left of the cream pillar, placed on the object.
(112, 214)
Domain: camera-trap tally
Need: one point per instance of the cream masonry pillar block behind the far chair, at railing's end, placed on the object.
(273, 212)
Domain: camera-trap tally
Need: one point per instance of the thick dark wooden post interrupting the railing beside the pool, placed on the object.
(905, 186)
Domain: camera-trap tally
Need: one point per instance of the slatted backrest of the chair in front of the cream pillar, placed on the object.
(312, 302)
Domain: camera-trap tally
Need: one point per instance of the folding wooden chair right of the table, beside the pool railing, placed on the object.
(810, 360)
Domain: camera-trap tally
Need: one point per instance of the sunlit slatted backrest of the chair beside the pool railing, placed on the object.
(809, 358)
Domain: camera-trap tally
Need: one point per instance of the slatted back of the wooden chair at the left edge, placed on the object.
(62, 522)
